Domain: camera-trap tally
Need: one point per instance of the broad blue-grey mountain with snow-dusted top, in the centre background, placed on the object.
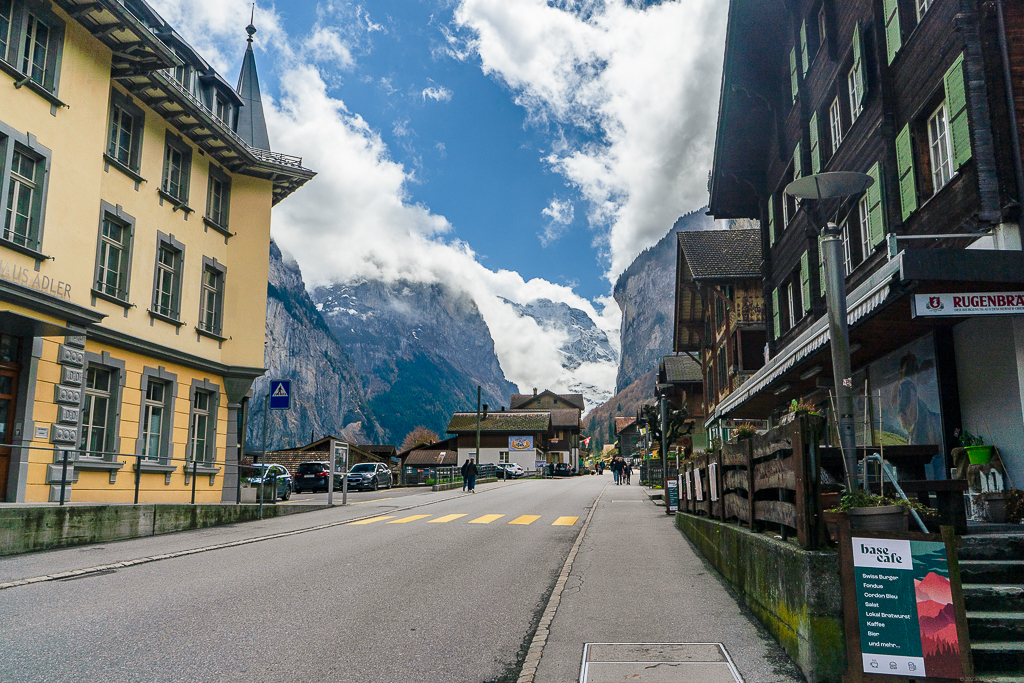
(421, 350)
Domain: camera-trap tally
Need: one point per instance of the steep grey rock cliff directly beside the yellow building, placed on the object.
(328, 389)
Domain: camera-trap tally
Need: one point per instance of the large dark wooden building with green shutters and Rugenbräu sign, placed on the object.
(927, 97)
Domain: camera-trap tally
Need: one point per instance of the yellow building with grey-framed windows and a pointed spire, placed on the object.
(137, 196)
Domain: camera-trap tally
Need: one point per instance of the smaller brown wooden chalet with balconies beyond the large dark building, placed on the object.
(720, 317)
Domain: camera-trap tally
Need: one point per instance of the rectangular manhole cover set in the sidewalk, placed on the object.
(658, 663)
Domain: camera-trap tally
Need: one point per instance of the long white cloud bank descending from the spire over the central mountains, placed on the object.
(356, 219)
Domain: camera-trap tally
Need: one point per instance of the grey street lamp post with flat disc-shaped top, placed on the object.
(817, 188)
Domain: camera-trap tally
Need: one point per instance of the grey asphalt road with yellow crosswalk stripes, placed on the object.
(395, 601)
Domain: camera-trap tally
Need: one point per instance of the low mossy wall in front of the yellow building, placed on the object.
(31, 529)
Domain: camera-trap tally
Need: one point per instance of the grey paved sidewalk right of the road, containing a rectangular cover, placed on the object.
(637, 580)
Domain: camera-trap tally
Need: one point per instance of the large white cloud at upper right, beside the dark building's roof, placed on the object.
(632, 92)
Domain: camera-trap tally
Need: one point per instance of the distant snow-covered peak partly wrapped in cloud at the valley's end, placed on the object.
(586, 354)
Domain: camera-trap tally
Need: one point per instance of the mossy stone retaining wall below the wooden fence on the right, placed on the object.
(795, 593)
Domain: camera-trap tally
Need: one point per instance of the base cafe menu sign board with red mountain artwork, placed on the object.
(911, 618)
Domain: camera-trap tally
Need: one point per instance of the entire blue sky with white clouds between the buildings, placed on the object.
(509, 149)
